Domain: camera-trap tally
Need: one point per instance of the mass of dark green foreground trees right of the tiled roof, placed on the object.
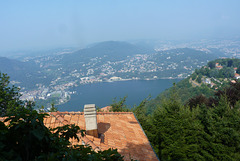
(206, 128)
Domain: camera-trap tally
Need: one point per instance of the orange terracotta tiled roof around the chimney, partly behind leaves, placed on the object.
(119, 130)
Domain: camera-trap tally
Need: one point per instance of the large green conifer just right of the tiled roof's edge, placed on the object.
(176, 132)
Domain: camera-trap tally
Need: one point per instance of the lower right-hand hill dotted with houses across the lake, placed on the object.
(181, 62)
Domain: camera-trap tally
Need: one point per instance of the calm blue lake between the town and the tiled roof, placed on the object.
(102, 94)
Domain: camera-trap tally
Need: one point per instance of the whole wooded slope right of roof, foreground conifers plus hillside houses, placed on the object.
(199, 117)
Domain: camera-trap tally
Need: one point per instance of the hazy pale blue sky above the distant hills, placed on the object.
(48, 24)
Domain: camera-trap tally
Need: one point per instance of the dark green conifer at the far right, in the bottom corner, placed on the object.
(222, 131)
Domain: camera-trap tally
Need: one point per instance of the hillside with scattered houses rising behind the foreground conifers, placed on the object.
(215, 75)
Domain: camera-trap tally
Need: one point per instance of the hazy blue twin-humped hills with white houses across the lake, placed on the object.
(127, 61)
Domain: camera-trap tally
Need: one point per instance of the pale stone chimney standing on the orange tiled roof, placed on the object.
(90, 115)
